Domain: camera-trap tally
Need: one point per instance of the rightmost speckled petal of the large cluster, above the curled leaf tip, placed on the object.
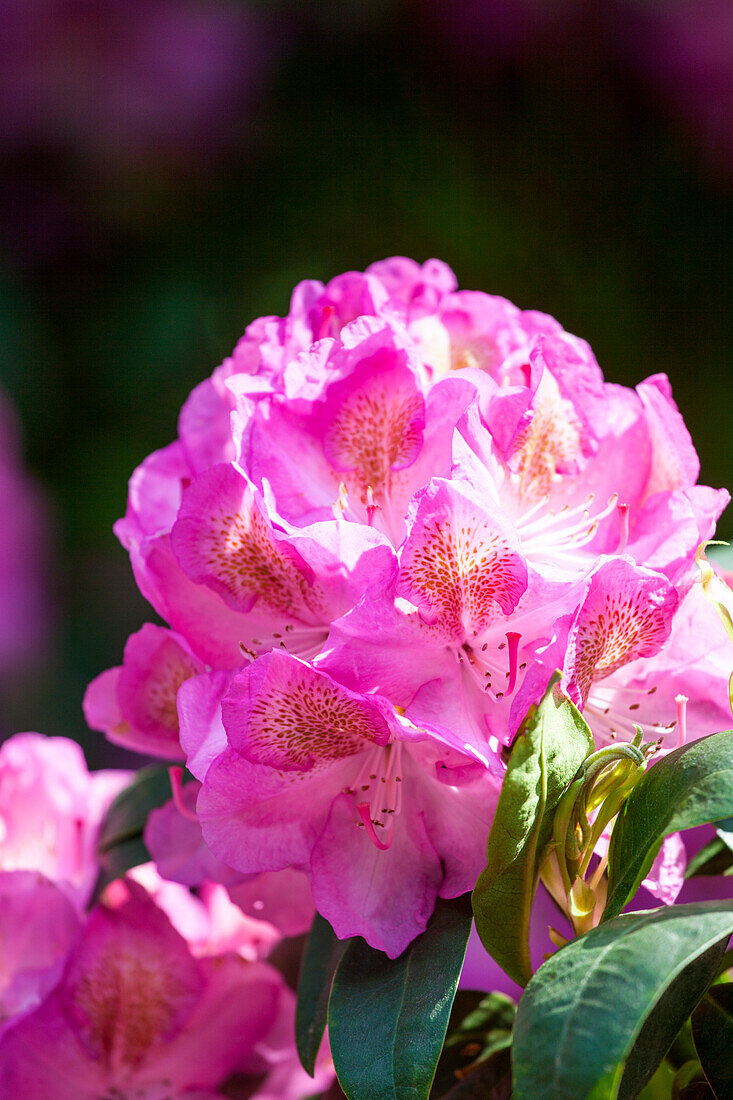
(627, 614)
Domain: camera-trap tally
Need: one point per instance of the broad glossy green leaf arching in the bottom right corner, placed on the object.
(589, 1010)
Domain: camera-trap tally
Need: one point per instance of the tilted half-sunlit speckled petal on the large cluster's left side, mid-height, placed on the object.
(224, 538)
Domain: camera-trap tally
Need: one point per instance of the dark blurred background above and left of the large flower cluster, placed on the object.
(171, 168)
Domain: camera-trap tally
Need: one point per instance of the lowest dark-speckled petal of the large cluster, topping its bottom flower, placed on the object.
(281, 712)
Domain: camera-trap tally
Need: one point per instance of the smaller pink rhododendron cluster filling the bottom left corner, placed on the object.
(151, 992)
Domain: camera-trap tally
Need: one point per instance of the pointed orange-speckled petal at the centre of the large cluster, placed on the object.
(458, 566)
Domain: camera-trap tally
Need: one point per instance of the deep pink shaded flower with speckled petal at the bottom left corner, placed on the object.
(137, 1014)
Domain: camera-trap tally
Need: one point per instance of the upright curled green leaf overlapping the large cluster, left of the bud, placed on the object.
(550, 749)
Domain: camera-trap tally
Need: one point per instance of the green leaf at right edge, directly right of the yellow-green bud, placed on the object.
(691, 787)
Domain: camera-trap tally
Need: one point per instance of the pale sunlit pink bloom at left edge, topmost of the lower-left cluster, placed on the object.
(51, 809)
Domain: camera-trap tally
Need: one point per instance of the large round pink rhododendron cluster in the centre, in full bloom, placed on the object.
(387, 520)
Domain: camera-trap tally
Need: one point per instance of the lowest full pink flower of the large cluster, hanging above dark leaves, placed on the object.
(381, 816)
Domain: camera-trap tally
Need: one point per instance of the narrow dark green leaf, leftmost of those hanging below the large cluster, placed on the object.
(323, 954)
